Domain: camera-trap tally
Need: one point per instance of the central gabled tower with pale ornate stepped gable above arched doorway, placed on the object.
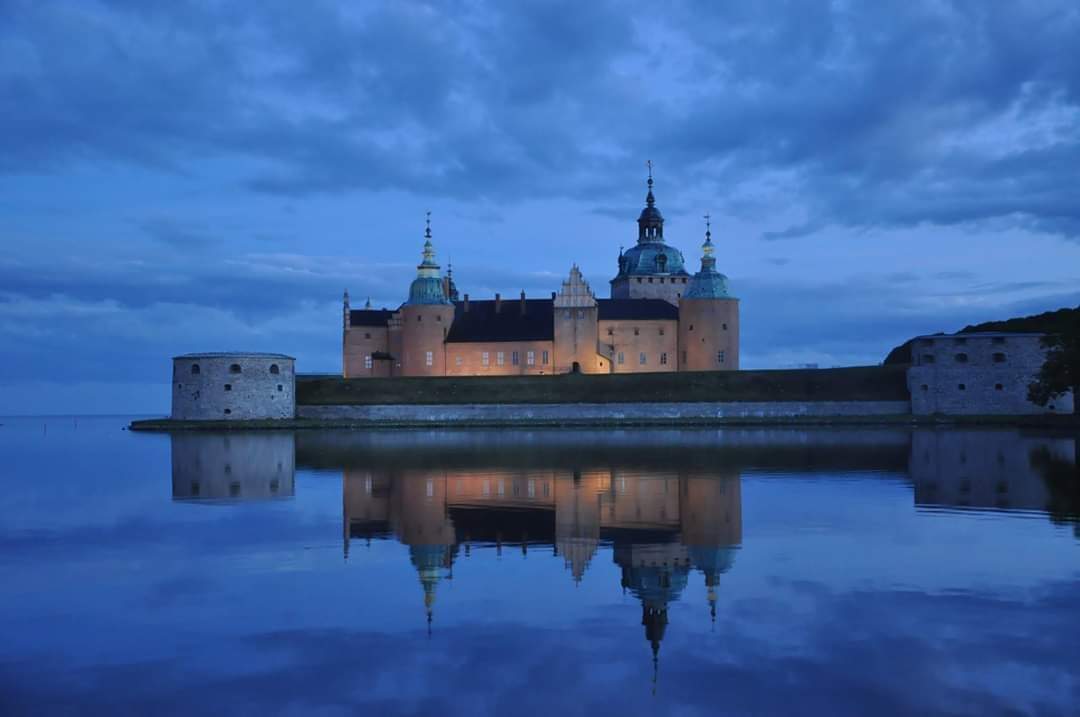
(576, 330)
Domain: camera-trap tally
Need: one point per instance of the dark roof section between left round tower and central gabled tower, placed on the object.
(481, 323)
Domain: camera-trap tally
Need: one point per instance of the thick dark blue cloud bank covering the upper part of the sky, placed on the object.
(895, 114)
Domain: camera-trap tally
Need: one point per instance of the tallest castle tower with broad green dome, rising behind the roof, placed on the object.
(652, 269)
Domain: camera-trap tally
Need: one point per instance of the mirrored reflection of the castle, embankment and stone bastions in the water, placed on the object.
(668, 504)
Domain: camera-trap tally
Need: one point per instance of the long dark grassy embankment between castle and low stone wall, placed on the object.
(850, 384)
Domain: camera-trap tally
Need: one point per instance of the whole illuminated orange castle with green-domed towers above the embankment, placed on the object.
(659, 319)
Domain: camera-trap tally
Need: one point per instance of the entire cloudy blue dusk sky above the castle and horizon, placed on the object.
(205, 177)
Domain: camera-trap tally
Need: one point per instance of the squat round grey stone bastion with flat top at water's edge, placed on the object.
(231, 387)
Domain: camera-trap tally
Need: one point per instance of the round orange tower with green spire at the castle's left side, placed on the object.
(426, 318)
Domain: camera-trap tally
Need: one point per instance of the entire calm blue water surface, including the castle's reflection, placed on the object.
(518, 573)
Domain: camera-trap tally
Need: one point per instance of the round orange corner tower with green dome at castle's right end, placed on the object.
(708, 318)
